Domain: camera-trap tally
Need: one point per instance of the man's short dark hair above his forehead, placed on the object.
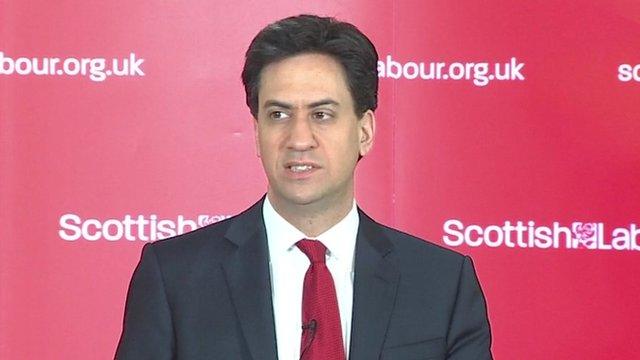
(313, 34)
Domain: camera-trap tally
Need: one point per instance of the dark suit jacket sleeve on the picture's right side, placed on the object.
(469, 336)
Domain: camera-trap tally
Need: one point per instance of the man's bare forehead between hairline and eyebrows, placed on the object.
(303, 79)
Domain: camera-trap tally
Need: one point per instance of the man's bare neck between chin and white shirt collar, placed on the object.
(316, 218)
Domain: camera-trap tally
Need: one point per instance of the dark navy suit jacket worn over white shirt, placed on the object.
(207, 295)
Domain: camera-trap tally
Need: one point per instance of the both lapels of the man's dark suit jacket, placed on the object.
(248, 278)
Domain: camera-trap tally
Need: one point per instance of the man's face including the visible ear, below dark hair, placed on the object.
(307, 133)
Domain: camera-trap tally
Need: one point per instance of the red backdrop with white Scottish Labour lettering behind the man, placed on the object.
(491, 113)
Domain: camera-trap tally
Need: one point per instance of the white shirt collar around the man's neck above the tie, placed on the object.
(340, 239)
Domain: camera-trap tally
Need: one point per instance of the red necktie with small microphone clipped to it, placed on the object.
(321, 329)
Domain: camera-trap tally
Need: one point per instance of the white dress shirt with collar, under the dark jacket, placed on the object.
(288, 266)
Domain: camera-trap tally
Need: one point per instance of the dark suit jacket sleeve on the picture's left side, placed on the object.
(147, 330)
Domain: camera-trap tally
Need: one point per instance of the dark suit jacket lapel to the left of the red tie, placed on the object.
(247, 273)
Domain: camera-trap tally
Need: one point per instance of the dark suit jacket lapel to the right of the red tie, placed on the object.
(374, 290)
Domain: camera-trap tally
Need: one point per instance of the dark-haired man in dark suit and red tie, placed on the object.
(304, 273)
